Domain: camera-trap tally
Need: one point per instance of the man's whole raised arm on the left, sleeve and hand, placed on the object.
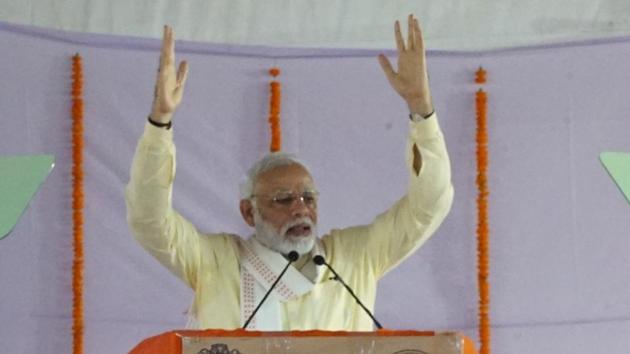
(159, 229)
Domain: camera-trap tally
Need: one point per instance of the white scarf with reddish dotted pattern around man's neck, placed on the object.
(260, 267)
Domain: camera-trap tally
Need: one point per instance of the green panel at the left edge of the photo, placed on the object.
(20, 178)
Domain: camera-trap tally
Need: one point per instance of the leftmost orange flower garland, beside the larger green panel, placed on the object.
(77, 204)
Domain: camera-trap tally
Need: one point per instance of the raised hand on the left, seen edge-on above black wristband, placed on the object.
(169, 87)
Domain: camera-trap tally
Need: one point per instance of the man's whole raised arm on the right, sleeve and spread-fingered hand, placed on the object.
(404, 227)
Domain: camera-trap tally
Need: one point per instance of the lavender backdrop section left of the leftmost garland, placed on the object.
(36, 258)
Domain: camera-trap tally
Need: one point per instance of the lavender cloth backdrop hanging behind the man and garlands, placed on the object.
(559, 226)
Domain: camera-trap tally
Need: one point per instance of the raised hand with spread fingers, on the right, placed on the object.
(411, 81)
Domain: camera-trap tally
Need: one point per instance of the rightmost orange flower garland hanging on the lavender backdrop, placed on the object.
(483, 229)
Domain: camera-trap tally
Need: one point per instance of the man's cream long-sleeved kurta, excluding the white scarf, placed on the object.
(209, 263)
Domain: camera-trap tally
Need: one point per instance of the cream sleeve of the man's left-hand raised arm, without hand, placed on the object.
(156, 226)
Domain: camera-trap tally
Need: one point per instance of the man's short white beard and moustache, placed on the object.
(280, 241)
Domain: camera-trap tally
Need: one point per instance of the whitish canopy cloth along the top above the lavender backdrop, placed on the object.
(448, 24)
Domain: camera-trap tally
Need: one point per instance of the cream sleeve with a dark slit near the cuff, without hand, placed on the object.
(403, 228)
